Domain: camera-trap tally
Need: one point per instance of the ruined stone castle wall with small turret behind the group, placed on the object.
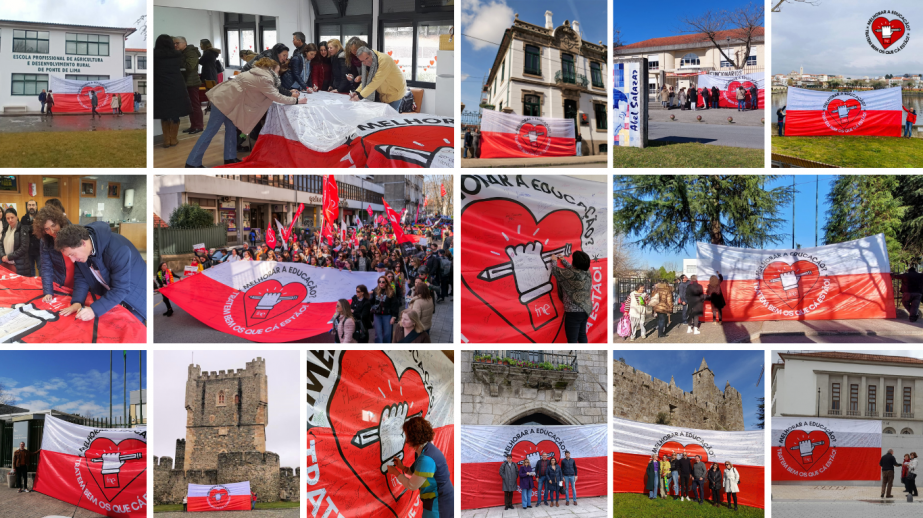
(638, 396)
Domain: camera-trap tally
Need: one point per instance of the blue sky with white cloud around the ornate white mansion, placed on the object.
(487, 19)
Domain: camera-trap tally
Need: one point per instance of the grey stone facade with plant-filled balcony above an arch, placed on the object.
(500, 394)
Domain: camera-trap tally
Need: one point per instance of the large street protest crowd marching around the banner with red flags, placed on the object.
(399, 309)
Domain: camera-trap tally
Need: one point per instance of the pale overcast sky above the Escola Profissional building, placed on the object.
(102, 13)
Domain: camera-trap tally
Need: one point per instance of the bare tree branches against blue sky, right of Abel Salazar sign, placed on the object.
(742, 22)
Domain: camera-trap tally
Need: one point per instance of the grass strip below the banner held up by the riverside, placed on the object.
(852, 151)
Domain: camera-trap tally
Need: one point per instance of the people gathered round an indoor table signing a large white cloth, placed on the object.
(240, 102)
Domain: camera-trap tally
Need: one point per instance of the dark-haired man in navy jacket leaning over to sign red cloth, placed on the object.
(108, 266)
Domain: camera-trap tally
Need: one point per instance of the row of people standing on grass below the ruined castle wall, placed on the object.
(687, 479)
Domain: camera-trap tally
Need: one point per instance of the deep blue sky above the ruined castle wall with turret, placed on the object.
(741, 368)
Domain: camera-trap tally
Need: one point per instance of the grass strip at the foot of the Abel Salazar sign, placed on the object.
(660, 154)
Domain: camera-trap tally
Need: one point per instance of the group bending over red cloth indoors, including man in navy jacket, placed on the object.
(84, 258)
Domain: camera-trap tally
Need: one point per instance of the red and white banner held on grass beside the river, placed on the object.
(876, 113)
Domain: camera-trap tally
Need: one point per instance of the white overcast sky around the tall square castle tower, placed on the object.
(169, 419)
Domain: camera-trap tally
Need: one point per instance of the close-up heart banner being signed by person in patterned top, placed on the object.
(512, 226)
